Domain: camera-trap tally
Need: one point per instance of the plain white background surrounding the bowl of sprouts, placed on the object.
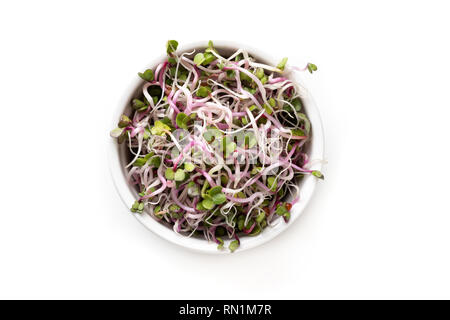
(378, 226)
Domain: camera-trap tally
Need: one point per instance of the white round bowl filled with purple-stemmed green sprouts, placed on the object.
(217, 147)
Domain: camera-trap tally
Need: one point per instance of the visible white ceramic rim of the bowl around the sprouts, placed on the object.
(129, 195)
